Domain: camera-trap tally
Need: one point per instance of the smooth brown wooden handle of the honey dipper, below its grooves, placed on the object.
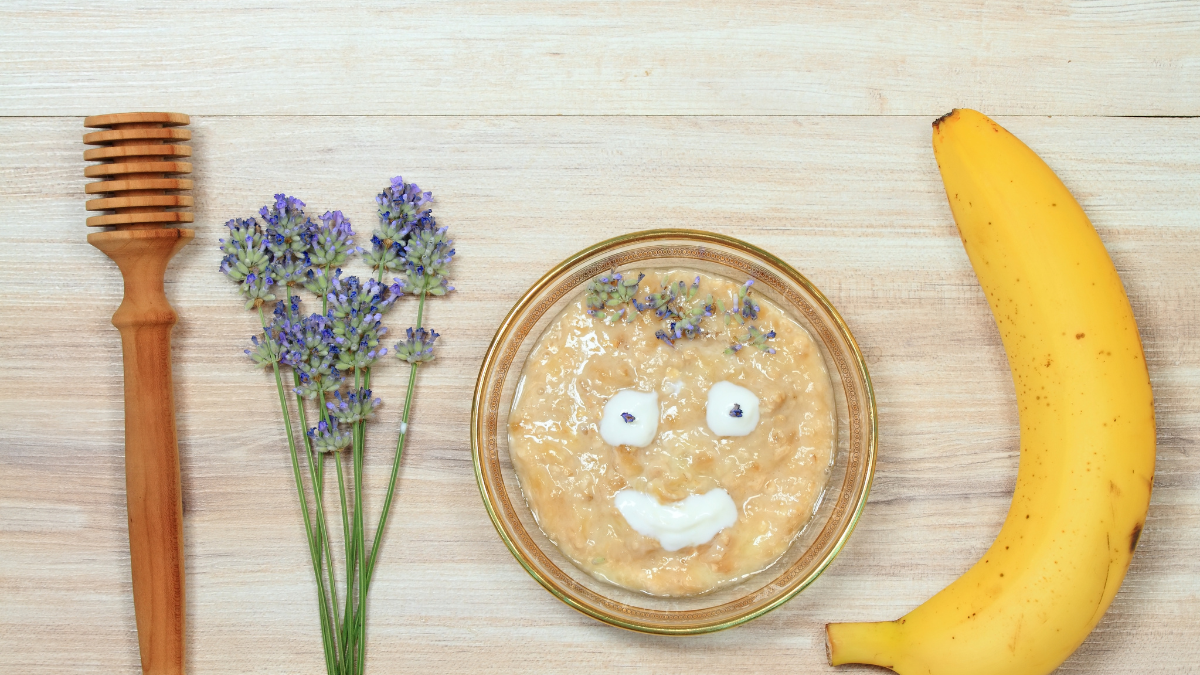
(152, 455)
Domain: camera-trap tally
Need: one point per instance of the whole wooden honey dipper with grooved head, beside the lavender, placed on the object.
(139, 153)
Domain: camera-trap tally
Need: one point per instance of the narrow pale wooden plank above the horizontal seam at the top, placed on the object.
(595, 57)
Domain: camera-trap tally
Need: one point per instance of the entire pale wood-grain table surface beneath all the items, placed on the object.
(544, 127)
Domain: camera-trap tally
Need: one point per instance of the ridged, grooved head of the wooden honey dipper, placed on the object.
(140, 165)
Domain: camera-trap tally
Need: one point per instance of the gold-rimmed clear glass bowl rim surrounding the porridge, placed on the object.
(813, 549)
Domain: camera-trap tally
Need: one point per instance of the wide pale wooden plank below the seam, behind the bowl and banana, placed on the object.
(855, 204)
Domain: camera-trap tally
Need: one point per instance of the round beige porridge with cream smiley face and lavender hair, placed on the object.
(673, 433)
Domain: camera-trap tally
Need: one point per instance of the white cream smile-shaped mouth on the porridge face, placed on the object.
(688, 523)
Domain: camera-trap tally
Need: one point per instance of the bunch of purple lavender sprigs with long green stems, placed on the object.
(331, 356)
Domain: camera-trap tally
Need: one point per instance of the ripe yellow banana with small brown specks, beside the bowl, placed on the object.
(1087, 422)
